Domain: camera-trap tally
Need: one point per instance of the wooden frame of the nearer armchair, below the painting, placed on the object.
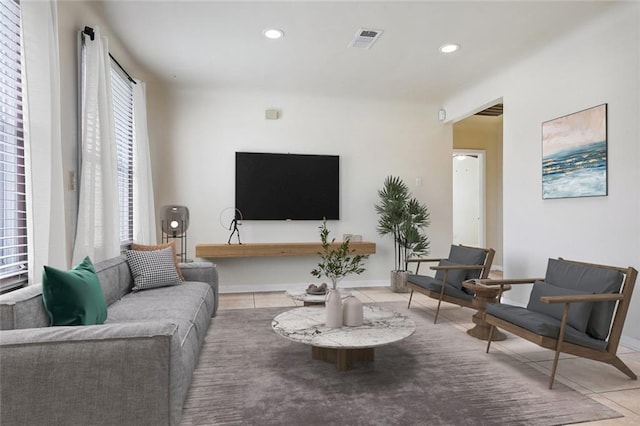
(609, 356)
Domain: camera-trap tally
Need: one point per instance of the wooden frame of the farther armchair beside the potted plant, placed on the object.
(441, 296)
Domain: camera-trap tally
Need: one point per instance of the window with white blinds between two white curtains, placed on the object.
(123, 117)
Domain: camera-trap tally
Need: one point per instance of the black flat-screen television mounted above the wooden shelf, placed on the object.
(287, 186)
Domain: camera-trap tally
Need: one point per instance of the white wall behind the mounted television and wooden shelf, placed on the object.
(374, 139)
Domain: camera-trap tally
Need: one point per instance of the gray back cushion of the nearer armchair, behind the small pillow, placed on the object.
(588, 279)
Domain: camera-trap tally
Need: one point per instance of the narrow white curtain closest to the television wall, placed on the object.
(144, 217)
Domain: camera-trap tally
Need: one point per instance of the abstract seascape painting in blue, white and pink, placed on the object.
(574, 154)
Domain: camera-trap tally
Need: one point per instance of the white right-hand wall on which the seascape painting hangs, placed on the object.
(596, 64)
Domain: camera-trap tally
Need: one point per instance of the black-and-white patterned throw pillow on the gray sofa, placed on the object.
(152, 269)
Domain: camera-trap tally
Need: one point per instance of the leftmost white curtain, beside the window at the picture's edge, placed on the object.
(45, 188)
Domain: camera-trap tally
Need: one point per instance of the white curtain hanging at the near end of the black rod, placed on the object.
(97, 232)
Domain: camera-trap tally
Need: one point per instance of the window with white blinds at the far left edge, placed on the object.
(13, 210)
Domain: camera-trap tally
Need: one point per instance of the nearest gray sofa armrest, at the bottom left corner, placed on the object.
(124, 374)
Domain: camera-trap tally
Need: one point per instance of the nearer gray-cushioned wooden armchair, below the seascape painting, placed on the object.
(577, 308)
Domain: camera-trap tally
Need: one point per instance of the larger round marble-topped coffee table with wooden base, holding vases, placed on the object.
(344, 345)
